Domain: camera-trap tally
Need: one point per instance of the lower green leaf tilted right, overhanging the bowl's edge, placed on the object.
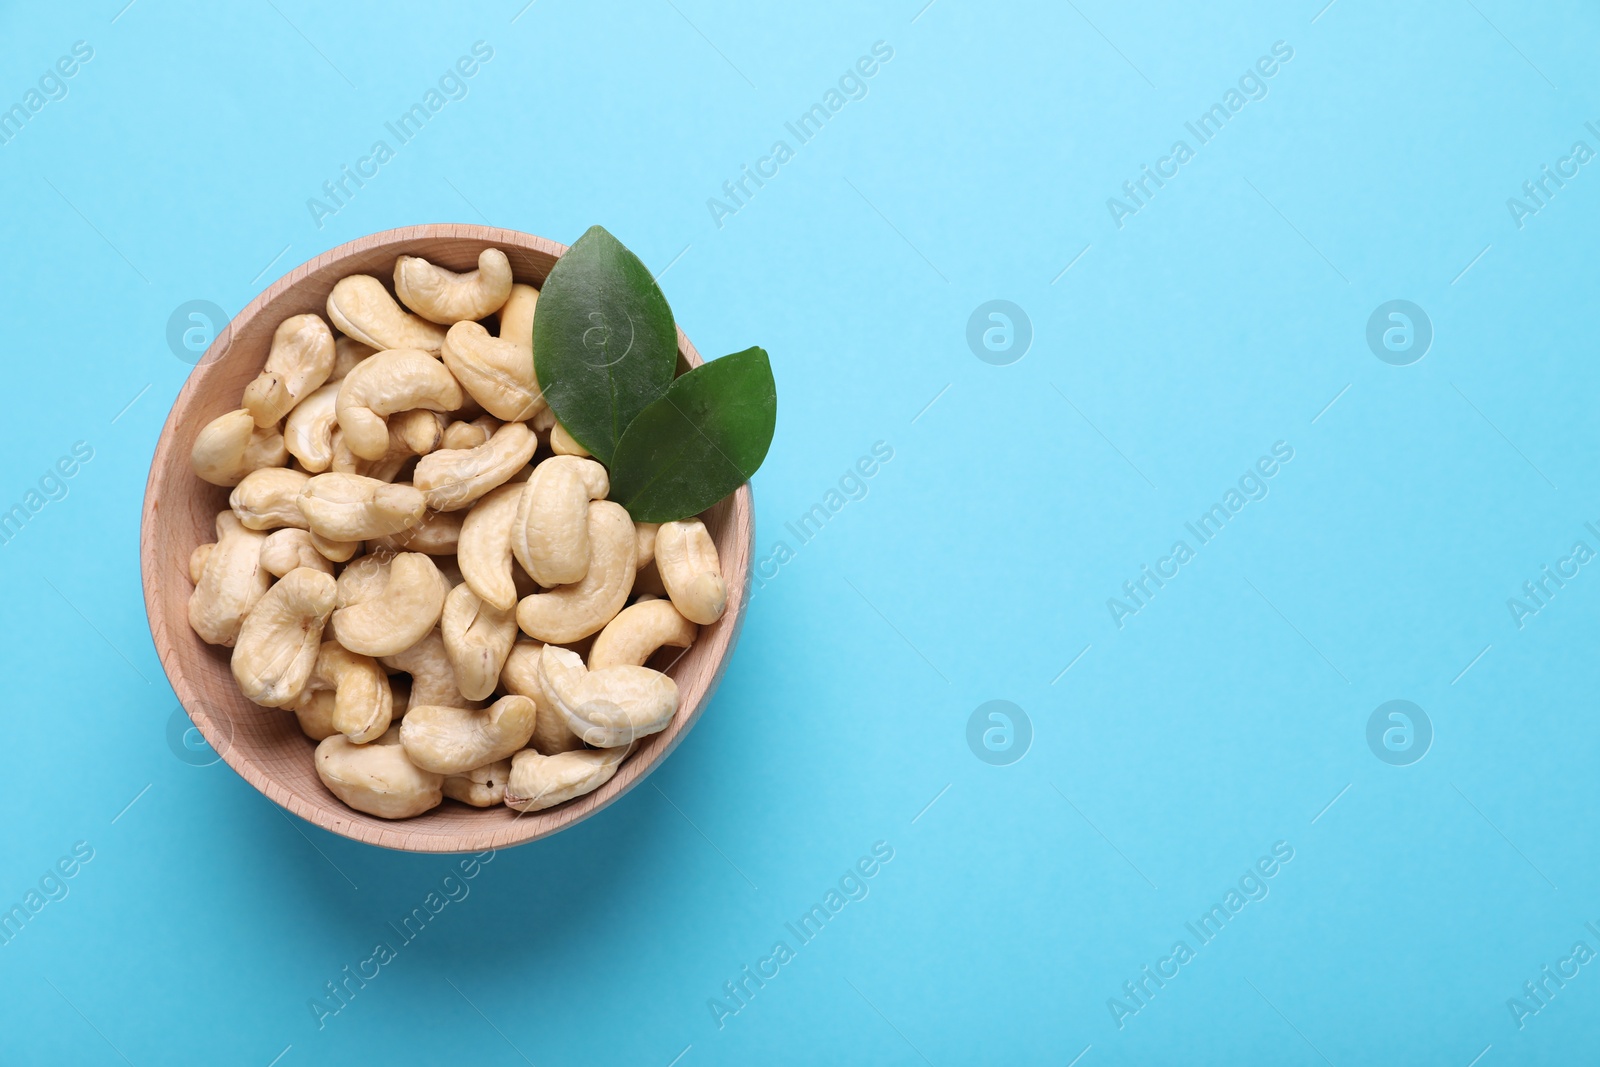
(700, 442)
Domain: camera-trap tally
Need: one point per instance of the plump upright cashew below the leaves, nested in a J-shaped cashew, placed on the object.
(551, 532)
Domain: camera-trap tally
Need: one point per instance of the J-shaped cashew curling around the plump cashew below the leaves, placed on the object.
(575, 612)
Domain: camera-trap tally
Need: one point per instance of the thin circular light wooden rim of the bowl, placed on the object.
(359, 826)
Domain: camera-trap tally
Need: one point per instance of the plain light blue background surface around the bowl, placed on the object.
(1225, 717)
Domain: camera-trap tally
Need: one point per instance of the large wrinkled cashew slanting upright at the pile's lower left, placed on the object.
(278, 644)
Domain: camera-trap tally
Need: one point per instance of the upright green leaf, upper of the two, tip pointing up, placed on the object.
(604, 342)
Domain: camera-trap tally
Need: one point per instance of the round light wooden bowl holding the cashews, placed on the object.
(265, 745)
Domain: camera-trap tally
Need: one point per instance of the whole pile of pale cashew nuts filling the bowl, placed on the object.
(446, 612)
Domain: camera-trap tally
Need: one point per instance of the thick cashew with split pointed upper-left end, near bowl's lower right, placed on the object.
(612, 706)
